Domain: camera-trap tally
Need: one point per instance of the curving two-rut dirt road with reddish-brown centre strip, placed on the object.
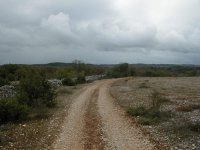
(95, 122)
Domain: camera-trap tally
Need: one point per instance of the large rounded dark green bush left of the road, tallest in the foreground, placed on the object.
(34, 90)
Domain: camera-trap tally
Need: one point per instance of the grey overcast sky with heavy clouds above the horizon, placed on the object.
(100, 31)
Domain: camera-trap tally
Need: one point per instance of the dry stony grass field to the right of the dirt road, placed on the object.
(176, 123)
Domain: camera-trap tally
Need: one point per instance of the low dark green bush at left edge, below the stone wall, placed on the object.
(12, 110)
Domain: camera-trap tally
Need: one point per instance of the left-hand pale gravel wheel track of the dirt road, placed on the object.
(72, 135)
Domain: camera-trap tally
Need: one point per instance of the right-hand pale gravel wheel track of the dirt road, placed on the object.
(120, 133)
